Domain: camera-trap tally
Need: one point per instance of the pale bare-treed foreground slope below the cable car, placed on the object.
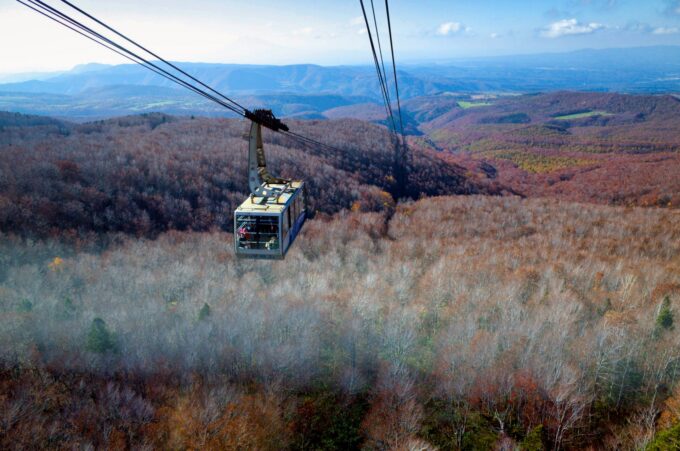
(471, 323)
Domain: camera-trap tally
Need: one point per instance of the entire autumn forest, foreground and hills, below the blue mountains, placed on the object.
(520, 291)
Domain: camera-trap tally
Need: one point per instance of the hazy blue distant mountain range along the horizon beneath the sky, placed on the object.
(99, 91)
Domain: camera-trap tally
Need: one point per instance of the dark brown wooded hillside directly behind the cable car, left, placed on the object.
(147, 174)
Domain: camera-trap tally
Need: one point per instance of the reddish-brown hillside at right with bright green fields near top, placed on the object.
(591, 147)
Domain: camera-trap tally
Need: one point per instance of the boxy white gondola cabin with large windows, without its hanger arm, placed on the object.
(266, 226)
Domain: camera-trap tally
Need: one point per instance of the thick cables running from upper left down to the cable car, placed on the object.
(179, 77)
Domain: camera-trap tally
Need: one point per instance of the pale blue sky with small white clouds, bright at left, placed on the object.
(332, 32)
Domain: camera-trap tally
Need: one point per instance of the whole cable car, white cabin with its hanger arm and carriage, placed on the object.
(269, 220)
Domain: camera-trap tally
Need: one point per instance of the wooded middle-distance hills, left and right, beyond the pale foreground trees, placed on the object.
(151, 173)
